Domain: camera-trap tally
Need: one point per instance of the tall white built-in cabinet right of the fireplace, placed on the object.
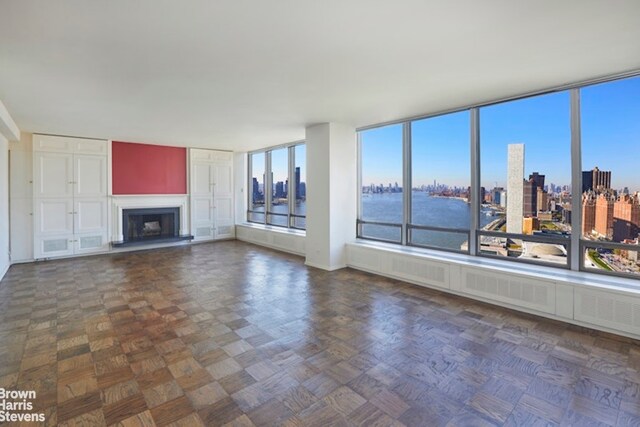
(211, 194)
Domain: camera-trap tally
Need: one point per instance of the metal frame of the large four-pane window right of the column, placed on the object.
(575, 244)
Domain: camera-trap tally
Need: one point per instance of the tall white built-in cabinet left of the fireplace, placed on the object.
(70, 196)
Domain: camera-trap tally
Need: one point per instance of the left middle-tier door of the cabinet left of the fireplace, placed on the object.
(53, 174)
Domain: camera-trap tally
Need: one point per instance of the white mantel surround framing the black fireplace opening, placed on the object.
(121, 202)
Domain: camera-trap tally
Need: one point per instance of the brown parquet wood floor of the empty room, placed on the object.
(234, 334)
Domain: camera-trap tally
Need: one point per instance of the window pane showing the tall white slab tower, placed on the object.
(525, 179)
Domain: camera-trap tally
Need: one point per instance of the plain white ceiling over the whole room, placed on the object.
(245, 74)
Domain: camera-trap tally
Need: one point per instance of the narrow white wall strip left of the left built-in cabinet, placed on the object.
(21, 199)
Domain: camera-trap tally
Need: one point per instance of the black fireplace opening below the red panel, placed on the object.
(150, 224)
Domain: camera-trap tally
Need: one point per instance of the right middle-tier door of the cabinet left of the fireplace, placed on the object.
(90, 175)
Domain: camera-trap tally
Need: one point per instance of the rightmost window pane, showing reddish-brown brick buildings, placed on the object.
(610, 134)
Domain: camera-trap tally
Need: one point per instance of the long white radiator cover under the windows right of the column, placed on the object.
(581, 301)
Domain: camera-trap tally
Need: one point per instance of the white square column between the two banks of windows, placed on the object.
(331, 194)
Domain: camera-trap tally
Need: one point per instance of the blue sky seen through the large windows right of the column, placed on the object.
(610, 140)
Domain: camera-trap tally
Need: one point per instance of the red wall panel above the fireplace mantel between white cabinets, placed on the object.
(148, 169)
